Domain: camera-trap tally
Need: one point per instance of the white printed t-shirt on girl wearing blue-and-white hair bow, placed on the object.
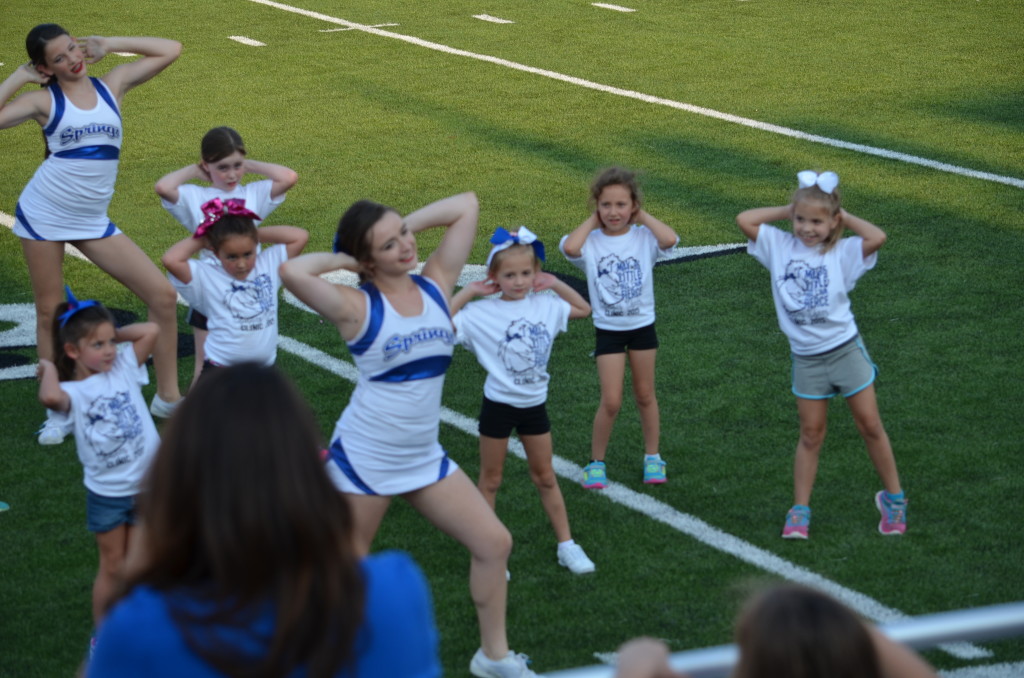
(513, 342)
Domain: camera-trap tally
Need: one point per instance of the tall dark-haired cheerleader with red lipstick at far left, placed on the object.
(67, 199)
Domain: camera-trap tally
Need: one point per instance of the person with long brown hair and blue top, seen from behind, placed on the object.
(246, 567)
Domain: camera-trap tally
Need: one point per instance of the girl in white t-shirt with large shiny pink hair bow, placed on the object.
(238, 293)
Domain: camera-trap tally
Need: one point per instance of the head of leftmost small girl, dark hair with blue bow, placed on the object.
(83, 331)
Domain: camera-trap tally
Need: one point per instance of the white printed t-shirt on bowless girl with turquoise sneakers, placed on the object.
(619, 276)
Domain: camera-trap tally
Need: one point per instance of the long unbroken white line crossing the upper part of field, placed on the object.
(690, 108)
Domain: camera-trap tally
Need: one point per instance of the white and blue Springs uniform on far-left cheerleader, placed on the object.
(68, 197)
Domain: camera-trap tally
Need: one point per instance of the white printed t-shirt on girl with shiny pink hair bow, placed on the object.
(242, 316)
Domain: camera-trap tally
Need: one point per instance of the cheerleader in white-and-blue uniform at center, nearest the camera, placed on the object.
(386, 444)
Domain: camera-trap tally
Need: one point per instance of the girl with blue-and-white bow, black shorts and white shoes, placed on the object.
(511, 336)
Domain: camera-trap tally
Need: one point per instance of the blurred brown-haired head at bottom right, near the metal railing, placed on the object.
(797, 632)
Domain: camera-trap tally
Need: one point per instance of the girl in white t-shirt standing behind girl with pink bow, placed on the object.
(224, 165)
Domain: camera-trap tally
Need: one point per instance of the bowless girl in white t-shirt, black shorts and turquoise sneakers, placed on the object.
(617, 247)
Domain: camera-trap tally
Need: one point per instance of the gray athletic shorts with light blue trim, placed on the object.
(846, 370)
